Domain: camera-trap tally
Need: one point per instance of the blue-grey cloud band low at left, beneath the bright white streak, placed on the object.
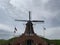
(5, 34)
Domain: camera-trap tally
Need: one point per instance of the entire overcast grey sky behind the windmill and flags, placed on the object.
(47, 10)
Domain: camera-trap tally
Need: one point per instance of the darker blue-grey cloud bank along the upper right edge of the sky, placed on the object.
(54, 7)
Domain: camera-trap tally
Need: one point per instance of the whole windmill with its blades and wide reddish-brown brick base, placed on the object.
(29, 37)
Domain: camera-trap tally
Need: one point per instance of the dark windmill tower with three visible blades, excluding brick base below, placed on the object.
(29, 25)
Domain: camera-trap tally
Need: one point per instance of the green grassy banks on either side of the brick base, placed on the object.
(6, 42)
